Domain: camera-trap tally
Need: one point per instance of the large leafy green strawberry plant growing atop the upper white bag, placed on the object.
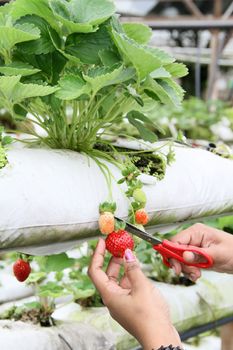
(77, 70)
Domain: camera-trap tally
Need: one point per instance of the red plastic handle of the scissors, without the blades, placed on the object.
(170, 250)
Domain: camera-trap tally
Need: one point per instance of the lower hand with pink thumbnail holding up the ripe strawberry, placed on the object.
(133, 301)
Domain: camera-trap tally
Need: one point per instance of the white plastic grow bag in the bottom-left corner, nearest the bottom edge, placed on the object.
(22, 336)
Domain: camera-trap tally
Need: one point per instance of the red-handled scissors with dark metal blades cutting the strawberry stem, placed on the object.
(170, 250)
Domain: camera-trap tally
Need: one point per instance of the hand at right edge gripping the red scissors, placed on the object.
(218, 244)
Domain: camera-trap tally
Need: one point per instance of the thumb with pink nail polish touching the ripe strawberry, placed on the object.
(133, 270)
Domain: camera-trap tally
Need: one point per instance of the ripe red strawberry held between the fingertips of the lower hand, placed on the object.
(118, 241)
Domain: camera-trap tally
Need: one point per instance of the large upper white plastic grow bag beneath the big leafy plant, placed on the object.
(49, 198)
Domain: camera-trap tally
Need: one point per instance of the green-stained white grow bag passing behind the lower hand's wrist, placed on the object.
(209, 300)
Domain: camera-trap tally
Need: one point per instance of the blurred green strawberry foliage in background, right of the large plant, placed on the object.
(195, 118)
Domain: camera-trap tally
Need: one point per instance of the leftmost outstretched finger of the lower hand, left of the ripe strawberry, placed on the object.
(97, 275)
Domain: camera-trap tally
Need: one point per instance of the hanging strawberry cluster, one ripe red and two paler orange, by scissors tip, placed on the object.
(118, 240)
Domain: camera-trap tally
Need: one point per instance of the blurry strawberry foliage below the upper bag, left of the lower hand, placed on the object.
(53, 277)
